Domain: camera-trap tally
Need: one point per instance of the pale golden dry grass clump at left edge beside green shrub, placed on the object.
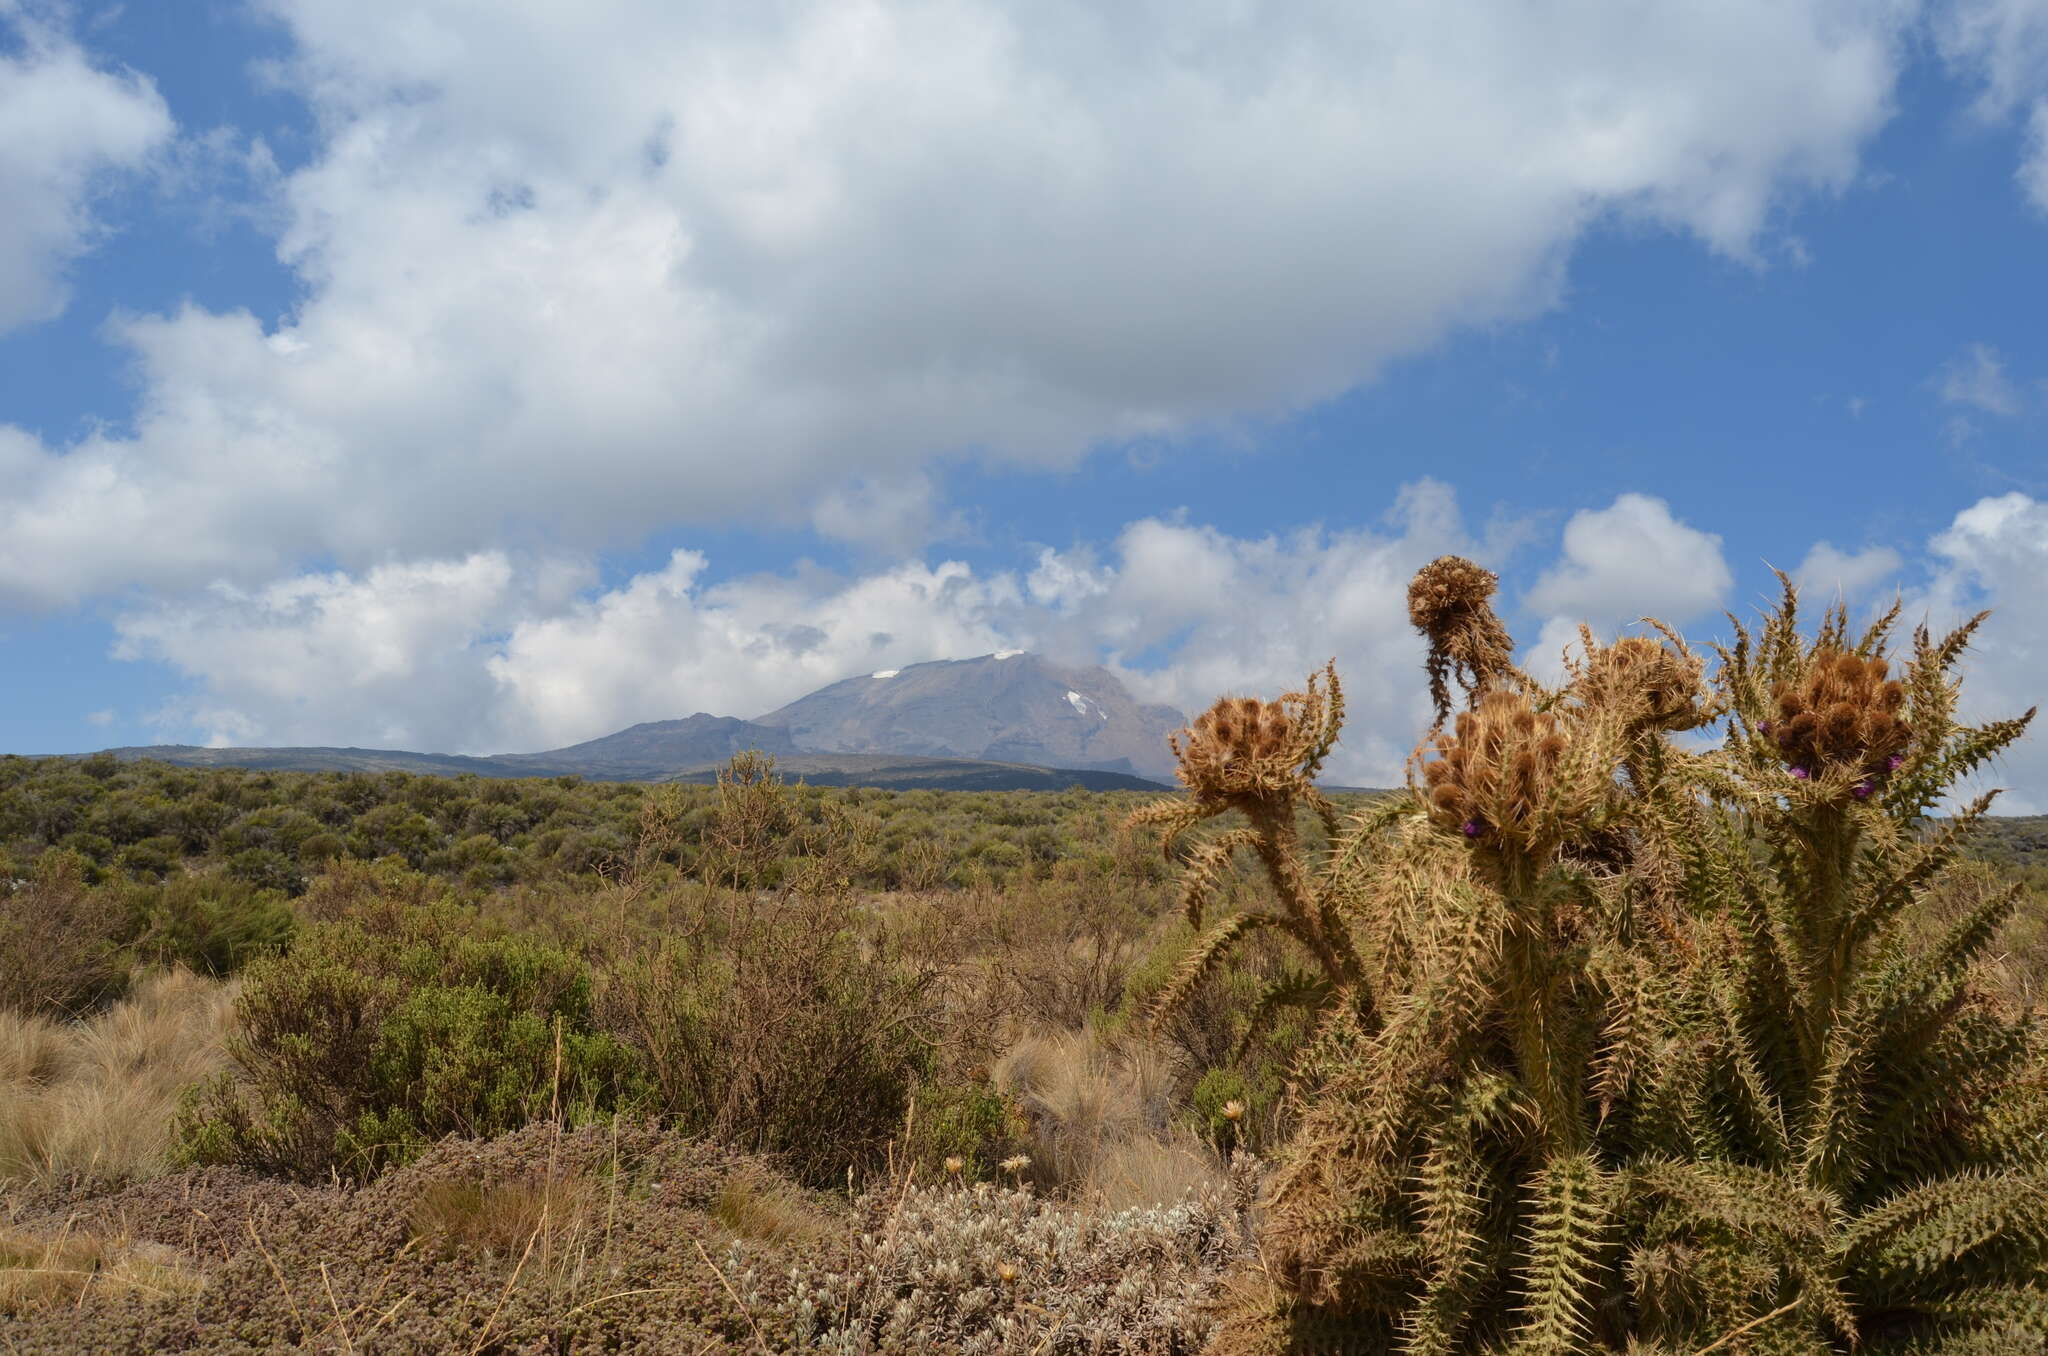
(97, 1099)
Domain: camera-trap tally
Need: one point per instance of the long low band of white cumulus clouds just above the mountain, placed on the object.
(505, 654)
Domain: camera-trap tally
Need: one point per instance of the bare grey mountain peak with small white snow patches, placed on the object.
(1007, 708)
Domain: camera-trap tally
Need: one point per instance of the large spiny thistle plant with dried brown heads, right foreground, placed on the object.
(1631, 1046)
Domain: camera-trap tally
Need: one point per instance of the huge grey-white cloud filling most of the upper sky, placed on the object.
(572, 286)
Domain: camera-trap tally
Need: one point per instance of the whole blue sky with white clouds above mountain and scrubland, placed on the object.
(486, 378)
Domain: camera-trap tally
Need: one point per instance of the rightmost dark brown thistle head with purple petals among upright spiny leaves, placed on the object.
(1842, 720)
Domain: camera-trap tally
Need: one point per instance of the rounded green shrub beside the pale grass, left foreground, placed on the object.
(382, 1033)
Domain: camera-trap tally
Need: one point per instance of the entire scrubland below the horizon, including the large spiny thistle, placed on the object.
(1592, 1042)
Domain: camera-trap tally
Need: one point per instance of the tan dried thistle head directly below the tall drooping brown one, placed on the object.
(1496, 779)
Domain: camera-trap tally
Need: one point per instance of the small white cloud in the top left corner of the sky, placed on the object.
(65, 128)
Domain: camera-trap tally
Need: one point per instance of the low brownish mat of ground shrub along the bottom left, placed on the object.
(622, 1255)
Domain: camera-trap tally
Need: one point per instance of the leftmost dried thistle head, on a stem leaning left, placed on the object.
(1256, 755)
